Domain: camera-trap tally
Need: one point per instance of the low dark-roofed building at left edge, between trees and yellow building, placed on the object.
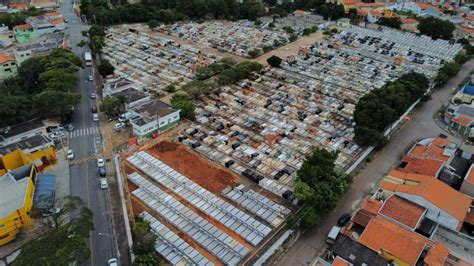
(29, 137)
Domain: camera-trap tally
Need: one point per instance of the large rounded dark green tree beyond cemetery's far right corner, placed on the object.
(436, 28)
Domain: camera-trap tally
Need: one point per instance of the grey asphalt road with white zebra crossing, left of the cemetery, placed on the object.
(85, 142)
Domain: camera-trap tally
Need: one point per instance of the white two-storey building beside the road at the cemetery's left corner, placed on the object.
(153, 117)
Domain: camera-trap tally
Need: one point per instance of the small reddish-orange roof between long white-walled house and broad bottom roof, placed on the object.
(403, 211)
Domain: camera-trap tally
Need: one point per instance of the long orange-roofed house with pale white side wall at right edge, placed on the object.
(444, 205)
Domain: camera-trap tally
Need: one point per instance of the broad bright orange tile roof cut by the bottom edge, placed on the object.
(381, 234)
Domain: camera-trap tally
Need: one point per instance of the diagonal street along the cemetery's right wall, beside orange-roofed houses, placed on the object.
(421, 125)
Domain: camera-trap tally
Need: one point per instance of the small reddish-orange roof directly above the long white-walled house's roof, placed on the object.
(421, 166)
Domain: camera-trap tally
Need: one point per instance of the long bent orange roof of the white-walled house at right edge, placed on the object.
(431, 189)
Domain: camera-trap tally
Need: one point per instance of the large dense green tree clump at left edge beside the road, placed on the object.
(42, 88)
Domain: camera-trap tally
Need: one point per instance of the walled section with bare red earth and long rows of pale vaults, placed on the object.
(201, 213)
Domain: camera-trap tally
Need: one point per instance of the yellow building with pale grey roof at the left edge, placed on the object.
(17, 188)
